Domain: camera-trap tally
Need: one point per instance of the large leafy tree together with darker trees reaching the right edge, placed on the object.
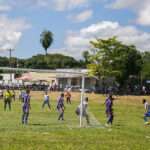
(111, 58)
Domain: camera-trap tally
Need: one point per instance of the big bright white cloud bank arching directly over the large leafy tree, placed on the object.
(77, 42)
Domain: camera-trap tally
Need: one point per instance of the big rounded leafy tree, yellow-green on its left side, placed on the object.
(111, 58)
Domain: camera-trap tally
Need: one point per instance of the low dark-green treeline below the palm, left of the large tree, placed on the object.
(49, 61)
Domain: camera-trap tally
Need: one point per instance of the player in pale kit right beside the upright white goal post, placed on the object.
(84, 110)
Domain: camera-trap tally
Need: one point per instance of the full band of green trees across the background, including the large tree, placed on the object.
(107, 58)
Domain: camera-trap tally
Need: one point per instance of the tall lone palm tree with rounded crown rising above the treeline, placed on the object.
(46, 39)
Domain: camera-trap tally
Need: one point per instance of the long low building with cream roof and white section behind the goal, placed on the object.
(63, 79)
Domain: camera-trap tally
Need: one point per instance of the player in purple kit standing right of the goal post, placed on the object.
(109, 110)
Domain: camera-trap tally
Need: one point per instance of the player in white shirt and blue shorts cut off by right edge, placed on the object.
(147, 111)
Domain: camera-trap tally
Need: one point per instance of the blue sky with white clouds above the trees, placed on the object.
(73, 22)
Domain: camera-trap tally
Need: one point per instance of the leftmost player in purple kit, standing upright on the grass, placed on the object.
(26, 107)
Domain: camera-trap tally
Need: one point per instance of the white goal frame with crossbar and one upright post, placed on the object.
(76, 73)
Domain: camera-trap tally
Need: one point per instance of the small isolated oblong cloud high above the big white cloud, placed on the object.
(81, 17)
